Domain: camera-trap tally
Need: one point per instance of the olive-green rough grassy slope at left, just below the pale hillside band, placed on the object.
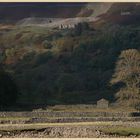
(25, 36)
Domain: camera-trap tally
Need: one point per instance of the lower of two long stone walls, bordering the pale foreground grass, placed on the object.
(71, 120)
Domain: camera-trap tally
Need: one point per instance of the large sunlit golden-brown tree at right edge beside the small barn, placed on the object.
(128, 72)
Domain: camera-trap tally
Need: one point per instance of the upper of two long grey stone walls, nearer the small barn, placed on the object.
(64, 114)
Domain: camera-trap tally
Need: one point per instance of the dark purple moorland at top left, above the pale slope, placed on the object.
(8, 11)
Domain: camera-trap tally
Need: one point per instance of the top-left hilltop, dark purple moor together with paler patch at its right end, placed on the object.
(9, 14)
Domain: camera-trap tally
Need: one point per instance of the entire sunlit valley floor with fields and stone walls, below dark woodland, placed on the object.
(81, 121)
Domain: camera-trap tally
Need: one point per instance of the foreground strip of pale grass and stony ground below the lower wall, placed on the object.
(71, 130)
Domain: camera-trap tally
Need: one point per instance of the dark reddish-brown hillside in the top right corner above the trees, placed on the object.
(122, 13)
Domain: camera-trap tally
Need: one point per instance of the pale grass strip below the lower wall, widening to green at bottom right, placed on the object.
(109, 128)
